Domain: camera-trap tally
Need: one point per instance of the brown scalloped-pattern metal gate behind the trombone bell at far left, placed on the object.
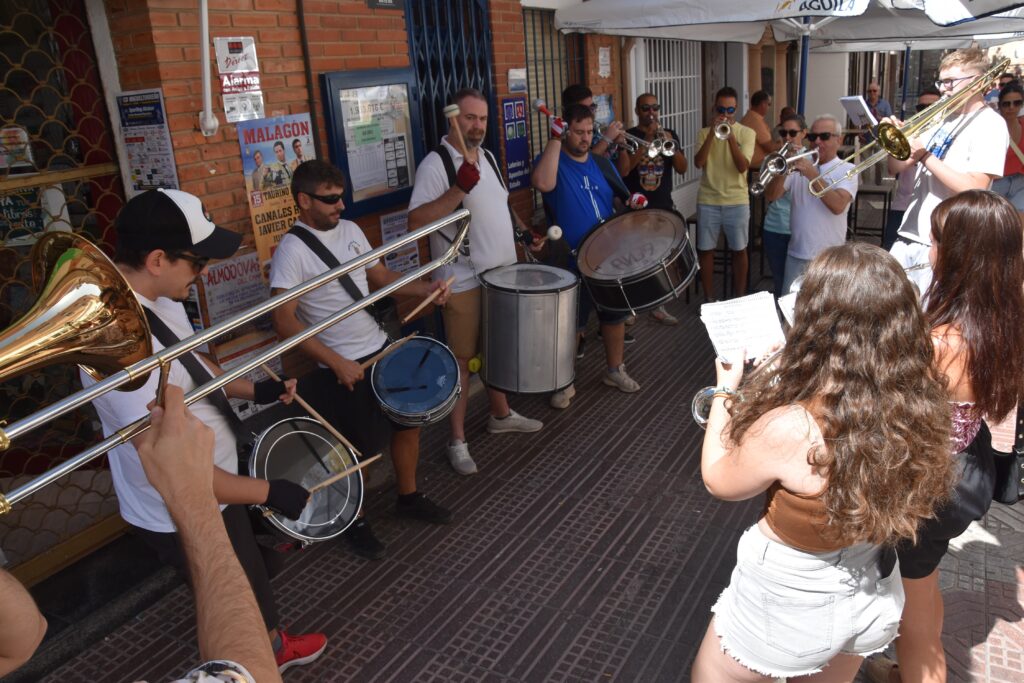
(58, 173)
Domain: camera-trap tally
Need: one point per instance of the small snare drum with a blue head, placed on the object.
(418, 383)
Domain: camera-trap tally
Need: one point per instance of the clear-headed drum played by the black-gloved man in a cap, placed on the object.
(303, 451)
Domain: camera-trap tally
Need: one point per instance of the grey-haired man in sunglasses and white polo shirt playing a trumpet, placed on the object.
(816, 223)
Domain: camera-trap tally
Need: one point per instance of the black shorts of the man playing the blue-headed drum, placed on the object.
(356, 414)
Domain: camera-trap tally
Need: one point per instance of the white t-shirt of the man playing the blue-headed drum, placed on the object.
(294, 264)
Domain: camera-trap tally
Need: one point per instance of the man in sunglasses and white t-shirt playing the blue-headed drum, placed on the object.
(339, 389)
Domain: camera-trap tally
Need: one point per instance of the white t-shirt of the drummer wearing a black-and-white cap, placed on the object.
(140, 502)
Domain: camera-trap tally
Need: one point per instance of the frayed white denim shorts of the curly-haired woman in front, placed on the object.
(788, 613)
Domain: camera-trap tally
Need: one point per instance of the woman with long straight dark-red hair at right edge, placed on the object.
(975, 307)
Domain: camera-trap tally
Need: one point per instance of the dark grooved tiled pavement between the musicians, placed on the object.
(587, 552)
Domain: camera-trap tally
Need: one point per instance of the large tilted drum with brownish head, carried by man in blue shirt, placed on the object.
(638, 261)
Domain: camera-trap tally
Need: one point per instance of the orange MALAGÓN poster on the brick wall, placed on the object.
(272, 149)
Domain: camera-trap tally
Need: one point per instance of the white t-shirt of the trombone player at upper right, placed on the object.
(971, 143)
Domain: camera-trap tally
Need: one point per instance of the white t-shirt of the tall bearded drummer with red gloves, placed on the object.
(491, 239)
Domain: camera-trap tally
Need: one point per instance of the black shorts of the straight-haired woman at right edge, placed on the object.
(971, 500)
